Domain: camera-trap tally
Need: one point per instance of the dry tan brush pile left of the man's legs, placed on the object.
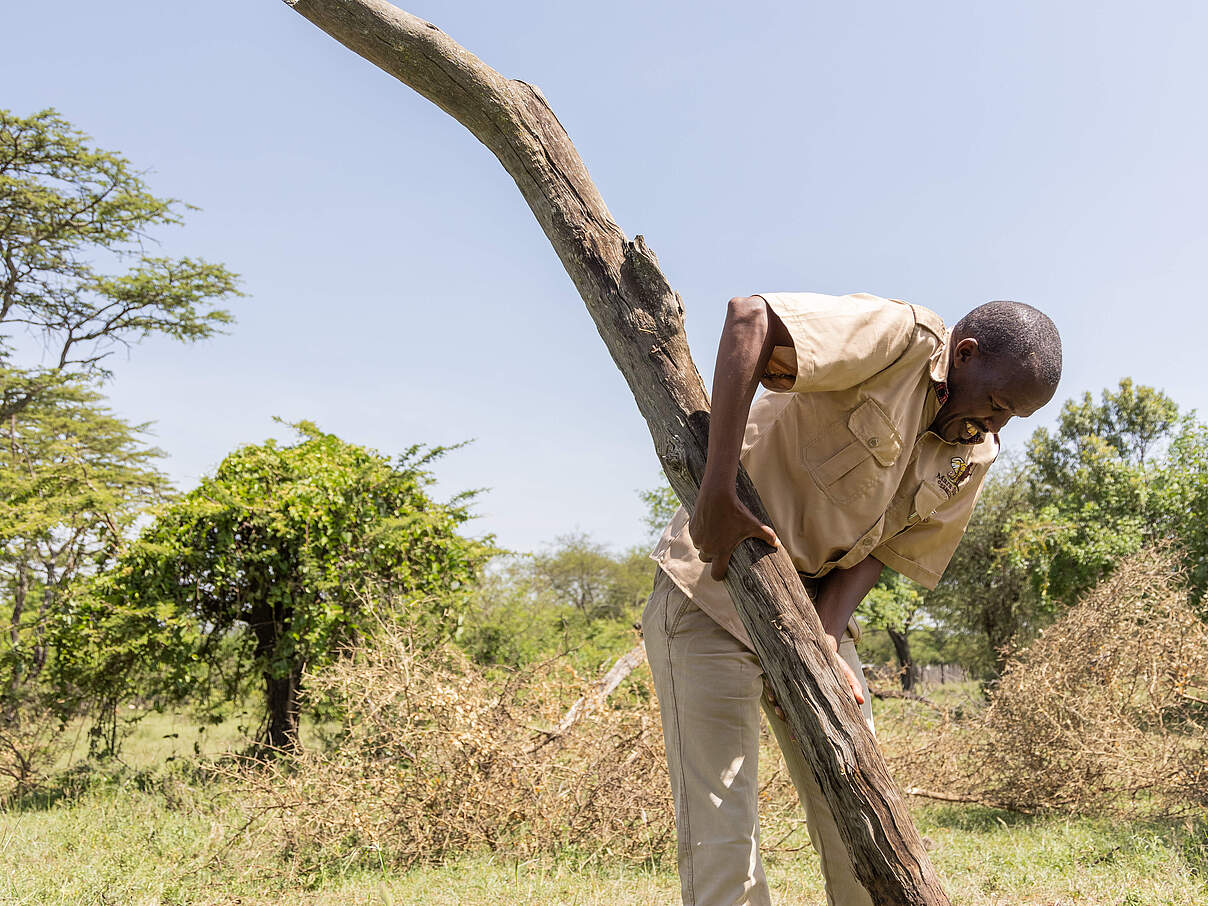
(435, 758)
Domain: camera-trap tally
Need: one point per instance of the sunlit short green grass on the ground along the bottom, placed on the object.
(153, 832)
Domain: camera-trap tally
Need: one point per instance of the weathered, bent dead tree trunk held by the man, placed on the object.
(641, 320)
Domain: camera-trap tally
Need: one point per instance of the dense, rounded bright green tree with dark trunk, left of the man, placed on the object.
(292, 548)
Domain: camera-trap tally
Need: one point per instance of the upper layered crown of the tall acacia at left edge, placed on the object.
(74, 275)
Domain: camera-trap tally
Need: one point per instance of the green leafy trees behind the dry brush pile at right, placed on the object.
(1116, 477)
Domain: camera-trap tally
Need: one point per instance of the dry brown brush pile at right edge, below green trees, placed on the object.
(1106, 713)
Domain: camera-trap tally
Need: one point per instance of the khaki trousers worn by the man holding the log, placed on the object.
(711, 688)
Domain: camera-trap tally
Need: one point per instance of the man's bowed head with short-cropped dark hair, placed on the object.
(1004, 362)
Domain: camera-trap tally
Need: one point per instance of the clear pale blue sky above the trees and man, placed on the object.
(399, 291)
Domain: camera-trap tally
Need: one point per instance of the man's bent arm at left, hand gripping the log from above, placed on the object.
(721, 521)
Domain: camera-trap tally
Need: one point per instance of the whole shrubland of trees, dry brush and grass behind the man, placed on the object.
(305, 682)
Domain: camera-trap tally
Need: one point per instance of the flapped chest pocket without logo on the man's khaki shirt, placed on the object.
(852, 456)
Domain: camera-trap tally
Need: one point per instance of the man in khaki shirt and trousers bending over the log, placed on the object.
(869, 452)
